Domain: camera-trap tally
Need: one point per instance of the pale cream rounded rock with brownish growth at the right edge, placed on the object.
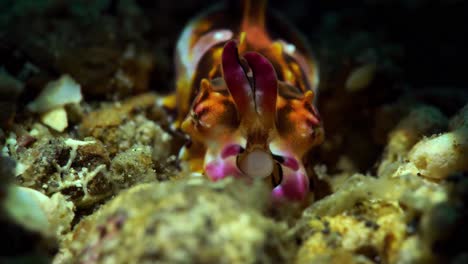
(436, 156)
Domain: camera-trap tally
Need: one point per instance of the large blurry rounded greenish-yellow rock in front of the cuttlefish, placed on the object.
(180, 222)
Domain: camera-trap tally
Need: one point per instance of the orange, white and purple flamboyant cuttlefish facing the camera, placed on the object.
(245, 90)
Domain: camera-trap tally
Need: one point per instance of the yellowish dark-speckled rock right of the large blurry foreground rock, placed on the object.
(368, 232)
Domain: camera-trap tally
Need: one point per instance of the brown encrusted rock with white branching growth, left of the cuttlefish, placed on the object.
(88, 171)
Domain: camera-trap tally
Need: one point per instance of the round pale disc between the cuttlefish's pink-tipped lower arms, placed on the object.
(256, 164)
